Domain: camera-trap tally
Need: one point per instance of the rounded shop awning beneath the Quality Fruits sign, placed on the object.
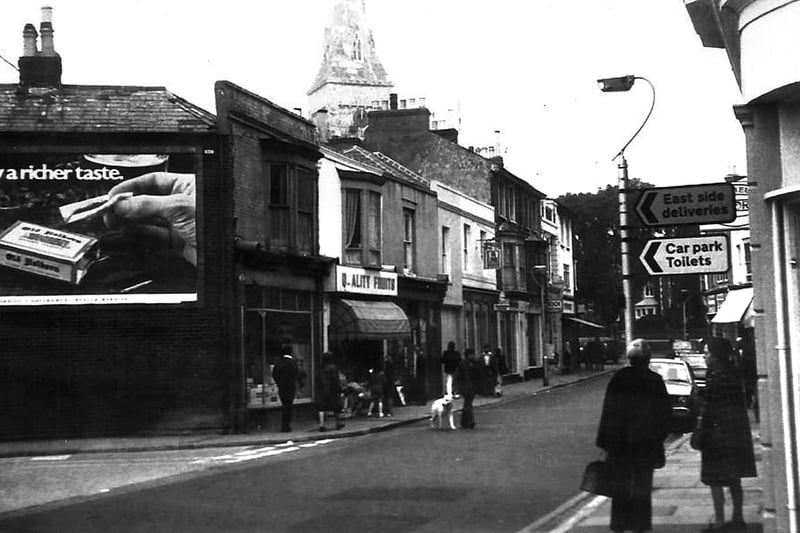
(358, 319)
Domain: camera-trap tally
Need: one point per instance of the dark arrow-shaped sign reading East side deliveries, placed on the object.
(690, 204)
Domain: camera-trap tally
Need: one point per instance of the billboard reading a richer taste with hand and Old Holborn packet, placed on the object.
(99, 229)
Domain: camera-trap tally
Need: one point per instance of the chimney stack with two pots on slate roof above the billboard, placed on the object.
(39, 68)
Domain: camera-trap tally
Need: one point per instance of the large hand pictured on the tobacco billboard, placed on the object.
(162, 207)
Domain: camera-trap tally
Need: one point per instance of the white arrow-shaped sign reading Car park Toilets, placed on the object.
(705, 254)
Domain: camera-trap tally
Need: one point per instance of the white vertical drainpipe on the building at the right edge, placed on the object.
(784, 361)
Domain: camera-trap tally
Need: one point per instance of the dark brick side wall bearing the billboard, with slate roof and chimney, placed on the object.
(120, 342)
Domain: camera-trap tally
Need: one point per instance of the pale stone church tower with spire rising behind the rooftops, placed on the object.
(351, 79)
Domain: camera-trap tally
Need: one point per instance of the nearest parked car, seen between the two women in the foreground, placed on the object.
(682, 391)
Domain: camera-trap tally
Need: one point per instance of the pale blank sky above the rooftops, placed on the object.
(527, 69)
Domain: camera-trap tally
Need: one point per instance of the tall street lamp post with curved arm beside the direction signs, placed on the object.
(622, 84)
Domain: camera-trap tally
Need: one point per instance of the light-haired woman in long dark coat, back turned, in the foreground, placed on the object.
(633, 426)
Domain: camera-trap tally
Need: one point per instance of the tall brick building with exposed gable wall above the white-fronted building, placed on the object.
(404, 135)
